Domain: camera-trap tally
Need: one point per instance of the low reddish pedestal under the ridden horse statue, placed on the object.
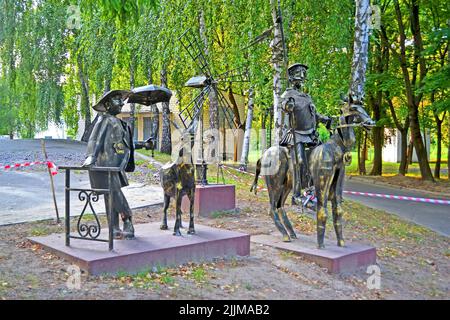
(335, 259)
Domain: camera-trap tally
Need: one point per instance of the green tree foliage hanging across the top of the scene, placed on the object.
(42, 60)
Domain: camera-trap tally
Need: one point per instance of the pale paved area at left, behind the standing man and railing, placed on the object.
(25, 195)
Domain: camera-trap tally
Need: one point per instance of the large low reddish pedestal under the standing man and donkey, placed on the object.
(151, 248)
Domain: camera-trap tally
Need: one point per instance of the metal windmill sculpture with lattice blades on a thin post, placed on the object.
(207, 83)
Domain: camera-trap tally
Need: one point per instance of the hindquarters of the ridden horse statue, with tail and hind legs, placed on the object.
(278, 174)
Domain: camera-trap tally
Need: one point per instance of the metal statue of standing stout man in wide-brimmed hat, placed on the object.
(111, 145)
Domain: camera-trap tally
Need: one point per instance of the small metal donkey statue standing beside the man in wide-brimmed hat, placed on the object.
(178, 180)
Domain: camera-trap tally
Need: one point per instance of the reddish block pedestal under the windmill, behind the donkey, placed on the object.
(211, 198)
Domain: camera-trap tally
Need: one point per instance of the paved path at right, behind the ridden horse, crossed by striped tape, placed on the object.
(433, 216)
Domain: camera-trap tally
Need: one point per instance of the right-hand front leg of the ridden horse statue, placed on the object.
(336, 199)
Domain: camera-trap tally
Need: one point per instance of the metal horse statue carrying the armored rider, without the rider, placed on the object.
(327, 169)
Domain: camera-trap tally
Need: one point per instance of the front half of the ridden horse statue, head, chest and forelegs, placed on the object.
(327, 167)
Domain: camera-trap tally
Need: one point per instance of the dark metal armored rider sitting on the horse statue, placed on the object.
(303, 121)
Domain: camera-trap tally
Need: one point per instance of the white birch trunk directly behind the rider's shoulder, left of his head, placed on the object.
(277, 61)
